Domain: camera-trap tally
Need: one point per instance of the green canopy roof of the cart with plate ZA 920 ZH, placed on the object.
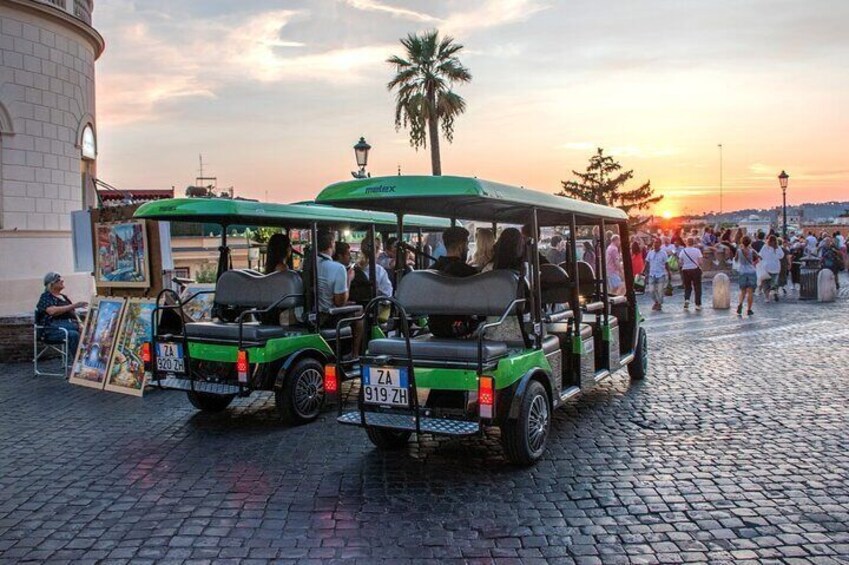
(227, 212)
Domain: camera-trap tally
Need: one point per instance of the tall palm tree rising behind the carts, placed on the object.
(424, 97)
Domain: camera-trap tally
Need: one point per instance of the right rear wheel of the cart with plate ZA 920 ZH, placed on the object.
(301, 397)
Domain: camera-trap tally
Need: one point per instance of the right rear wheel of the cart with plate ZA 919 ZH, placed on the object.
(524, 439)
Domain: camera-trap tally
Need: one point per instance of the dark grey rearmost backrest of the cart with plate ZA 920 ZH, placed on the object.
(242, 290)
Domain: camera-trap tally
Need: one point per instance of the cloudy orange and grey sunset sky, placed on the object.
(275, 93)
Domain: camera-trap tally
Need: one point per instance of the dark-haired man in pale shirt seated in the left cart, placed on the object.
(333, 287)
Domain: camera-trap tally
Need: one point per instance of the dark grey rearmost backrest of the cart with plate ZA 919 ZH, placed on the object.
(432, 292)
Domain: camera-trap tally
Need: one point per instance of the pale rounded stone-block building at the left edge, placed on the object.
(48, 143)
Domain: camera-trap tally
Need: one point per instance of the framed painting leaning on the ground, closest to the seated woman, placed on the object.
(97, 343)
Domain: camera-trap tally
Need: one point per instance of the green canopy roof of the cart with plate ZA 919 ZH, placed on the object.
(463, 198)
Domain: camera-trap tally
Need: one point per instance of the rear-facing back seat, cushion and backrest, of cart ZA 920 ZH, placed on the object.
(240, 291)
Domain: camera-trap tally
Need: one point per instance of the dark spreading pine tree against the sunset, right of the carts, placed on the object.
(604, 183)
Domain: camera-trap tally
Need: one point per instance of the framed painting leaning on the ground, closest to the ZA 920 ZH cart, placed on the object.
(126, 368)
